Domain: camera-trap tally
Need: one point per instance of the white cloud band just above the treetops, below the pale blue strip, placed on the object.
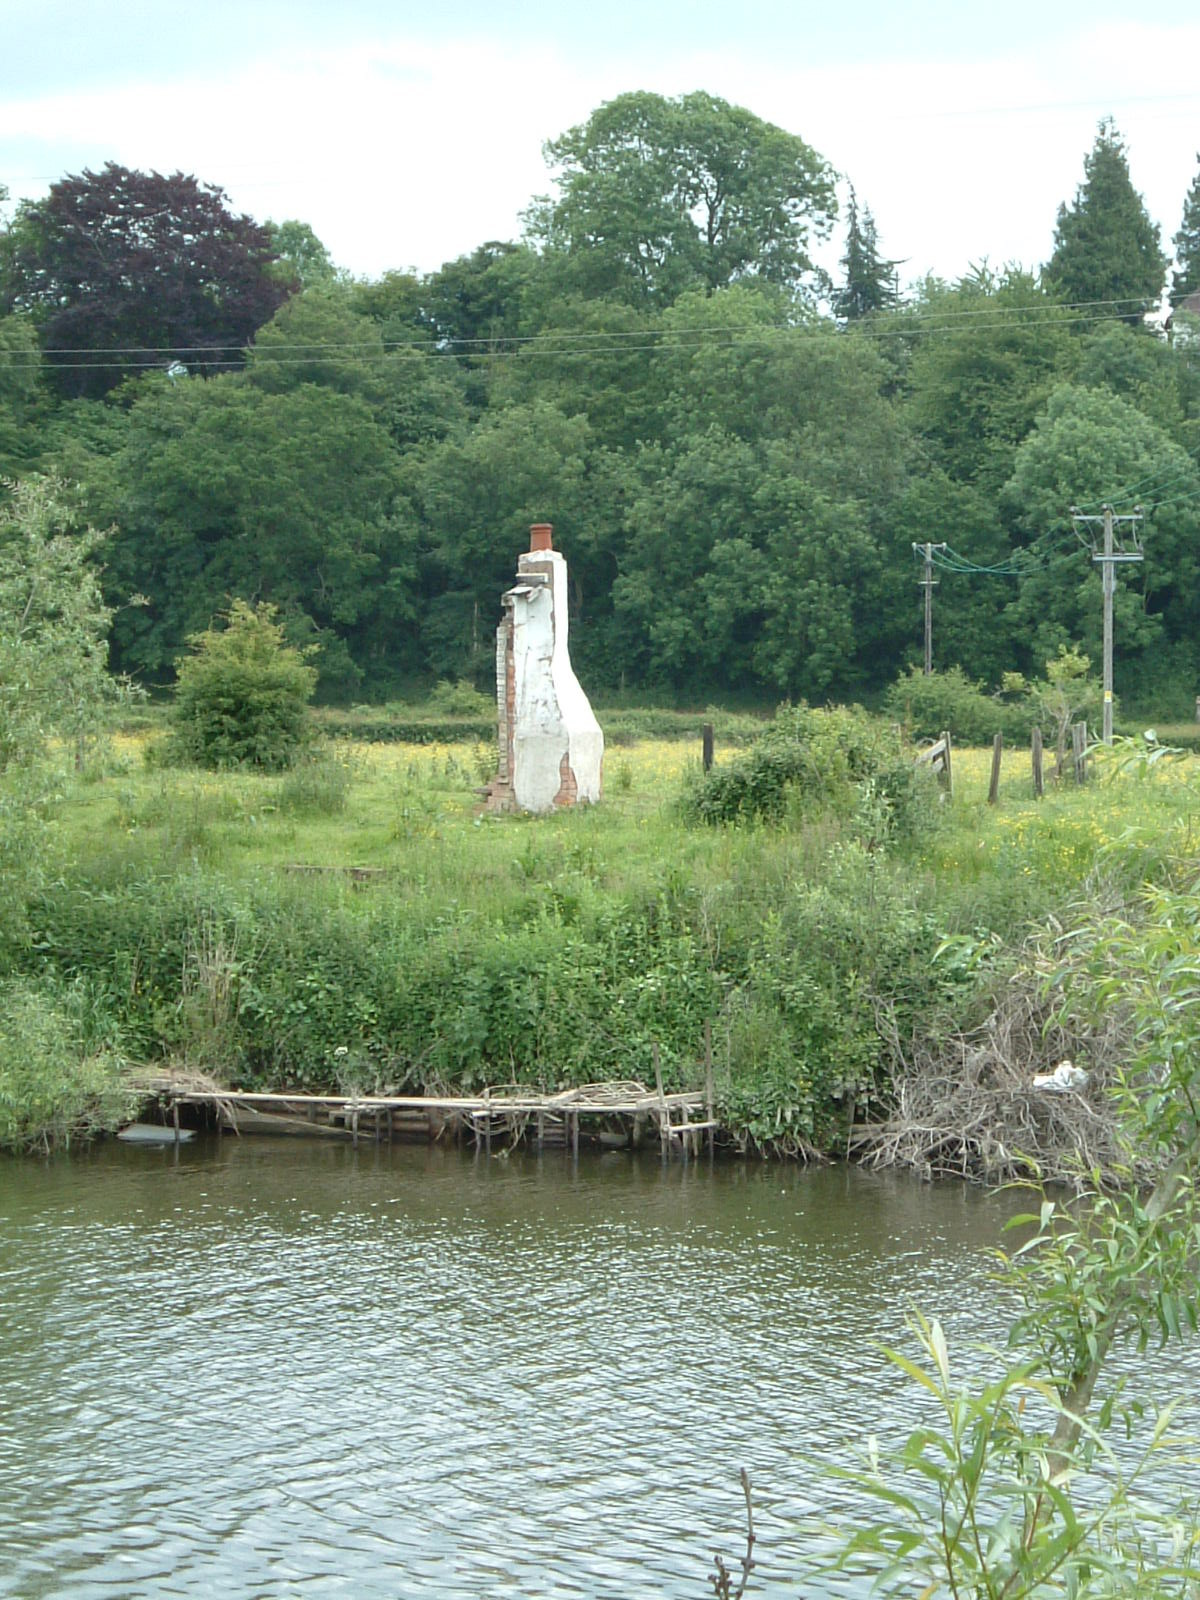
(407, 154)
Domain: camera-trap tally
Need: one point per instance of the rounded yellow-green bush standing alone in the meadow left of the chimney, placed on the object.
(242, 697)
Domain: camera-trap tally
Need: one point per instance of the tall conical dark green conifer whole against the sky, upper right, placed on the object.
(1108, 252)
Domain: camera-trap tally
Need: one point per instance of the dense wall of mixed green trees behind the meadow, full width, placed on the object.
(737, 454)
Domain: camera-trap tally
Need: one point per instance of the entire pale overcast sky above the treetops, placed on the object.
(410, 134)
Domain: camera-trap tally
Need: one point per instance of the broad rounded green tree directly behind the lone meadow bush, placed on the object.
(223, 492)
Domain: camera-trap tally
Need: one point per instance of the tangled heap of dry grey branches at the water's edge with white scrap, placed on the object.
(969, 1106)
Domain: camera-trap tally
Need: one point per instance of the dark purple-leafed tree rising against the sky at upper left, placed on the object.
(129, 271)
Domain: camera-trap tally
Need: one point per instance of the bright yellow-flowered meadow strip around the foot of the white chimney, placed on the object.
(415, 812)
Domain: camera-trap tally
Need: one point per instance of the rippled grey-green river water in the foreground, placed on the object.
(265, 1369)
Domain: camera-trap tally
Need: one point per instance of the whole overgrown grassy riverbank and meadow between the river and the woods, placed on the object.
(214, 921)
